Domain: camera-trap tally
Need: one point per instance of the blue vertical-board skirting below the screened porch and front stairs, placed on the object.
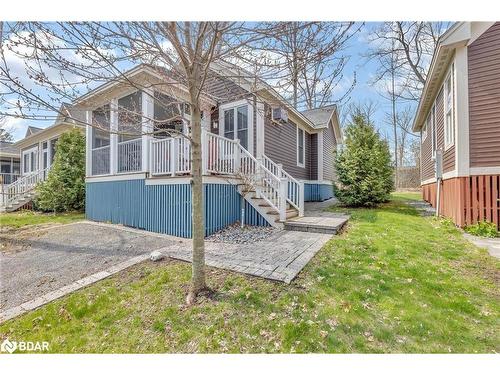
(165, 208)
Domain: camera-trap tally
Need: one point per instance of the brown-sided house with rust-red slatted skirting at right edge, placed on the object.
(459, 117)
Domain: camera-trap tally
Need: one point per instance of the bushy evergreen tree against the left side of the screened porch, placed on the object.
(64, 189)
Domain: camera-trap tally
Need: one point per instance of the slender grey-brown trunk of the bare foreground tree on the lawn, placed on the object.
(198, 267)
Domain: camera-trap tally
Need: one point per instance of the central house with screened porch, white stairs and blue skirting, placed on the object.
(252, 134)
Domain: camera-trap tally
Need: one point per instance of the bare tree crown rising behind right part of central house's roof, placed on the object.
(307, 60)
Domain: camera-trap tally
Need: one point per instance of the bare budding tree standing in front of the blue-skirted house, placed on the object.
(45, 64)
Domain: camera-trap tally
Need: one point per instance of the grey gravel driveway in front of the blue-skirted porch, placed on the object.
(37, 262)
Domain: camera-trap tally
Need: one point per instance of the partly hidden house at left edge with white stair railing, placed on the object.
(35, 155)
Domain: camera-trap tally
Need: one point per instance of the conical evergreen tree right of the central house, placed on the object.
(364, 167)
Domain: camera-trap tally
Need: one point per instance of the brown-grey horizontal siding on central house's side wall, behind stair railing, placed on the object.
(280, 145)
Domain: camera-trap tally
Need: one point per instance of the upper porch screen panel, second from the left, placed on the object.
(130, 117)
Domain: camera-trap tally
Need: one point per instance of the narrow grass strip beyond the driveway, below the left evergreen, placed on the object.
(24, 218)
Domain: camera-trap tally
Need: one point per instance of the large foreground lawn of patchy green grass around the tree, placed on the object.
(393, 282)
